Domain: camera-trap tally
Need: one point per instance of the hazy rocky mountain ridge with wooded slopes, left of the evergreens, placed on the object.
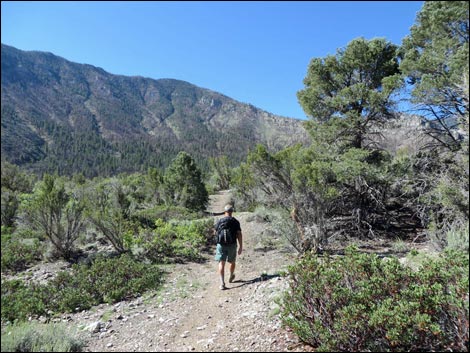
(59, 116)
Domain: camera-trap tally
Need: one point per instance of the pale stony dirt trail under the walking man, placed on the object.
(191, 313)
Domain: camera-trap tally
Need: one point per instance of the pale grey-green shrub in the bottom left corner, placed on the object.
(35, 337)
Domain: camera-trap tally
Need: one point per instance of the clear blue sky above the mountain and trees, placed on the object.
(256, 52)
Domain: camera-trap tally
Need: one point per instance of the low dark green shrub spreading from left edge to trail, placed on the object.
(106, 280)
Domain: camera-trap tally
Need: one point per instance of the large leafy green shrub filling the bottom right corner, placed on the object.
(360, 302)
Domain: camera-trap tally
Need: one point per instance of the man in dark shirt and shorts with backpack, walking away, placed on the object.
(228, 231)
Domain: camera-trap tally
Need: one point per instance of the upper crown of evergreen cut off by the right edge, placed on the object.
(435, 59)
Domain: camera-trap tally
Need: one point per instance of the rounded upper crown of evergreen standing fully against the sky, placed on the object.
(355, 85)
